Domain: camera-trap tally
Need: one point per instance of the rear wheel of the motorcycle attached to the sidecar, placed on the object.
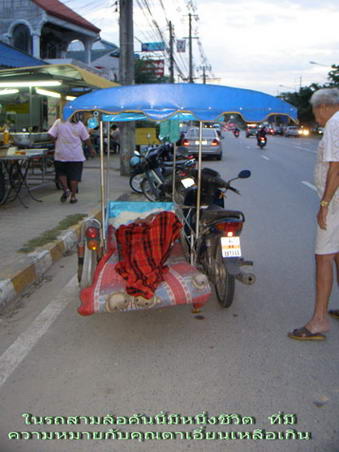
(224, 283)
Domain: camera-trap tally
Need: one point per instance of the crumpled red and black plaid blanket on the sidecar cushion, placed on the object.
(144, 248)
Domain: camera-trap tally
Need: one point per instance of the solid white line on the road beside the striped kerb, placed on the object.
(17, 352)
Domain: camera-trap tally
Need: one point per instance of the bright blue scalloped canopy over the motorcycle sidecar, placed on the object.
(163, 101)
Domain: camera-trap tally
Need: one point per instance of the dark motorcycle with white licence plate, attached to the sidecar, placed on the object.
(217, 248)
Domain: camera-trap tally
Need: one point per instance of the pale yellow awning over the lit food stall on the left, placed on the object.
(72, 77)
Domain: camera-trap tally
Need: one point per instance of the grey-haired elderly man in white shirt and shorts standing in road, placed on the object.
(325, 103)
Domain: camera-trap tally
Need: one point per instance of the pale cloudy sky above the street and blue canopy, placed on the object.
(264, 45)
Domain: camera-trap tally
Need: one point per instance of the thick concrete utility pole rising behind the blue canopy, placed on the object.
(126, 77)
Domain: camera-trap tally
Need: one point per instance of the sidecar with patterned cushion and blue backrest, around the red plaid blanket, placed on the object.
(108, 291)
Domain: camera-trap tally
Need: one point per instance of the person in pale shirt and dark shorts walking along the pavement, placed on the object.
(69, 155)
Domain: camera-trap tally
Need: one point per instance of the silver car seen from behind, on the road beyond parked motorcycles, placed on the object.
(210, 143)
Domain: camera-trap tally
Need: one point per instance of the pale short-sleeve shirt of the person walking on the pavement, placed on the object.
(69, 135)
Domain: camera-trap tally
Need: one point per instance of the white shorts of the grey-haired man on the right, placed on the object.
(327, 241)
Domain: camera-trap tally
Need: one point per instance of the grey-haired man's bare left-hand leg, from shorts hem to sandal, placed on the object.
(324, 281)
